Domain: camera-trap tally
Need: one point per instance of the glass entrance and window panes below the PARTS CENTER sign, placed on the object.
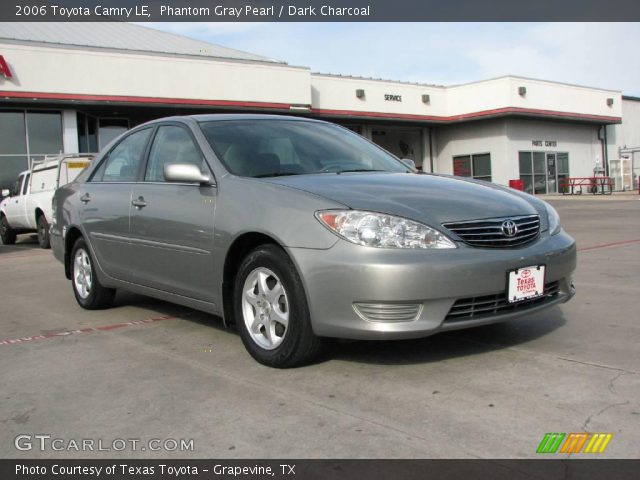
(543, 172)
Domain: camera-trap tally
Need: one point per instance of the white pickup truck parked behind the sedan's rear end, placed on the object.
(28, 208)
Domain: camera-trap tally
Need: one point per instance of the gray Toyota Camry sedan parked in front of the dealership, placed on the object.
(298, 231)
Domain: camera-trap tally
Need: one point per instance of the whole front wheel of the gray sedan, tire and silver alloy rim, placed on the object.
(268, 291)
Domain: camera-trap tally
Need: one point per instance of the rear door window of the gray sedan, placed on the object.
(124, 160)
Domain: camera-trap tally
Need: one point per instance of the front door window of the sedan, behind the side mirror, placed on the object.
(171, 145)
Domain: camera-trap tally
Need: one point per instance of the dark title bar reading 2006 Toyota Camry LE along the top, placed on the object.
(318, 10)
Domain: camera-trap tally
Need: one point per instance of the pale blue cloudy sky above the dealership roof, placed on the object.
(604, 55)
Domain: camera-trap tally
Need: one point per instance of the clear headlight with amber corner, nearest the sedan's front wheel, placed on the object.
(382, 231)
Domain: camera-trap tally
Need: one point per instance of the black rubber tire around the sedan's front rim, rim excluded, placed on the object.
(288, 353)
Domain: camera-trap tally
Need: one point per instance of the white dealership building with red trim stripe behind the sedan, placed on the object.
(74, 87)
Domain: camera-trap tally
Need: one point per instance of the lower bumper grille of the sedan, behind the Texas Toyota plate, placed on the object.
(475, 308)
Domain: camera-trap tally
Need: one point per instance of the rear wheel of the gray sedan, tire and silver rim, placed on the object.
(89, 293)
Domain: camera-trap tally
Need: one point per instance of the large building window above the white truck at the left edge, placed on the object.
(25, 136)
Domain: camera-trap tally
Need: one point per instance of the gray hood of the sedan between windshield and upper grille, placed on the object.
(427, 198)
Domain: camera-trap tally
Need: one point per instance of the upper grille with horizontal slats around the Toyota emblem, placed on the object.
(489, 233)
